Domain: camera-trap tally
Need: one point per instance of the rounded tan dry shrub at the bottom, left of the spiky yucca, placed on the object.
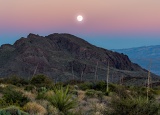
(33, 108)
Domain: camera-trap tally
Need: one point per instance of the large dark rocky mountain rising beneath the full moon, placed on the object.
(64, 57)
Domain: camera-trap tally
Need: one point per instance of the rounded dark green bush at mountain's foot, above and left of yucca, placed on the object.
(42, 81)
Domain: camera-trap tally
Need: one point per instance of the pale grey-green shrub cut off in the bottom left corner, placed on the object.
(12, 110)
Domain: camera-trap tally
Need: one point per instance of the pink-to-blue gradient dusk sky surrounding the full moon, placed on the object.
(110, 24)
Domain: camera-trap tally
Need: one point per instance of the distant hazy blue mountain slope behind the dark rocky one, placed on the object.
(148, 57)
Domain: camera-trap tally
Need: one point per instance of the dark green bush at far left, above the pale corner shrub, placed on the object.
(11, 96)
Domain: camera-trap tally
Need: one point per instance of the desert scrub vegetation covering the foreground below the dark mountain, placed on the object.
(41, 96)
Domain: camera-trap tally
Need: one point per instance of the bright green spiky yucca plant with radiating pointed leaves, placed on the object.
(62, 100)
